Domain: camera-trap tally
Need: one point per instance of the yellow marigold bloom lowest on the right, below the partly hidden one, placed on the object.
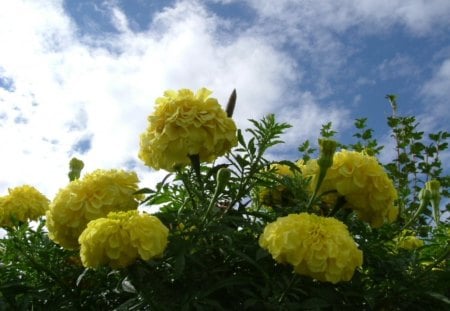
(316, 246)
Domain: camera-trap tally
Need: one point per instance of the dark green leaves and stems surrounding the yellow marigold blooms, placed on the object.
(215, 215)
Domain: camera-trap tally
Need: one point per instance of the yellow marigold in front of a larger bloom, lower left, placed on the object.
(122, 237)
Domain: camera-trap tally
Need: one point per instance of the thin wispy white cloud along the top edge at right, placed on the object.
(417, 16)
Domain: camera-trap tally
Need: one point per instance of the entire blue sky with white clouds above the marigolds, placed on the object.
(79, 77)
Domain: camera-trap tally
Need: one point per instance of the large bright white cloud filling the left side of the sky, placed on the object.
(72, 88)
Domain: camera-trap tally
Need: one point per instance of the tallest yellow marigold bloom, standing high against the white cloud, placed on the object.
(185, 124)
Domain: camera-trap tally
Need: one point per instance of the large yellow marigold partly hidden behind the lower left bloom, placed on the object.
(89, 198)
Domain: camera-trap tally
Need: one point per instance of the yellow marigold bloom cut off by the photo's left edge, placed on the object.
(22, 204)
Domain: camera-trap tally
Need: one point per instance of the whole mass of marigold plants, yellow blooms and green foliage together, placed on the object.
(326, 237)
